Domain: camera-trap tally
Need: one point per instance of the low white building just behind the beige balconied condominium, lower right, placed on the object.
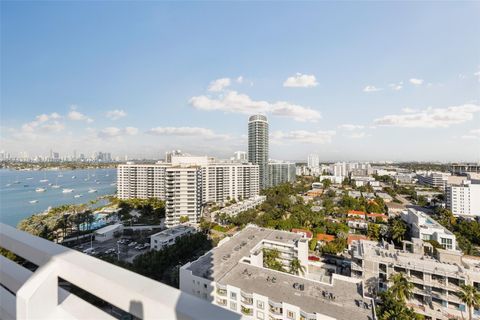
(425, 228)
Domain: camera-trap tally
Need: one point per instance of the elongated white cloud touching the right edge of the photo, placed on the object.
(431, 117)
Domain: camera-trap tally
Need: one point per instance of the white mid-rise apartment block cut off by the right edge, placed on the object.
(464, 199)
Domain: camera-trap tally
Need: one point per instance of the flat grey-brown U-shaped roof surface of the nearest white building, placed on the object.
(224, 266)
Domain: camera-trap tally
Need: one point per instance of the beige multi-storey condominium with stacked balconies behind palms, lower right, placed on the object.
(436, 275)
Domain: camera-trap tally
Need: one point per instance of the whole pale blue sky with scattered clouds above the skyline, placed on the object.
(353, 81)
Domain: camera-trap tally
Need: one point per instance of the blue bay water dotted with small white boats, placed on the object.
(17, 189)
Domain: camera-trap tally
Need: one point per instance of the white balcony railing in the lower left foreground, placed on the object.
(36, 295)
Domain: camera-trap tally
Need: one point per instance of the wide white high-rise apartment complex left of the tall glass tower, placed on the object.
(188, 182)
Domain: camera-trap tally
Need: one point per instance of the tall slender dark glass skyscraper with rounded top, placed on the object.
(258, 145)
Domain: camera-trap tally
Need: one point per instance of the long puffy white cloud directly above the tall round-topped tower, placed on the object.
(233, 101)
